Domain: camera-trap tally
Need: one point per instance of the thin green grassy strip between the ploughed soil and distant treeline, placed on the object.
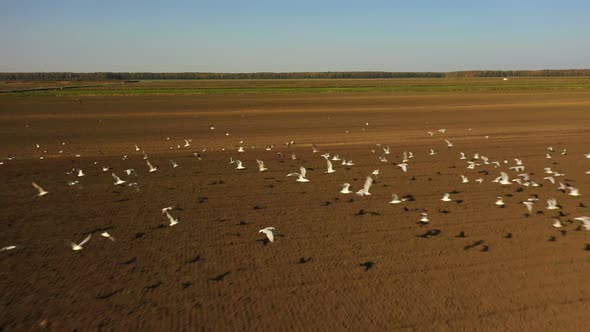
(180, 87)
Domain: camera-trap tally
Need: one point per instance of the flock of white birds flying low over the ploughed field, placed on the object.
(477, 160)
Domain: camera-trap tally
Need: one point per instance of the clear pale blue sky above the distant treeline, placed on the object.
(287, 36)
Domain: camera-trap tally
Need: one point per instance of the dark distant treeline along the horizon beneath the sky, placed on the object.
(107, 76)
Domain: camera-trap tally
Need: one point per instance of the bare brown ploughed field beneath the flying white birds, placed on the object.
(213, 271)
